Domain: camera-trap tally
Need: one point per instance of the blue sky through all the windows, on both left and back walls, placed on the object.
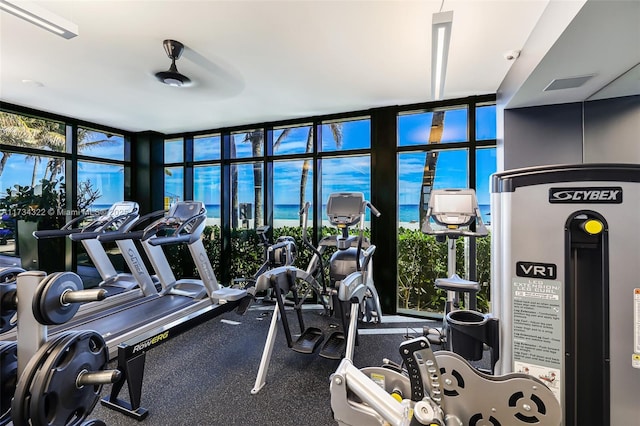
(339, 174)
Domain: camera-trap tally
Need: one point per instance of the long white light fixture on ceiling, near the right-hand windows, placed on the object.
(440, 39)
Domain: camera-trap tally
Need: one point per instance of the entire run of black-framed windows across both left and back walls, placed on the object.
(264, 174)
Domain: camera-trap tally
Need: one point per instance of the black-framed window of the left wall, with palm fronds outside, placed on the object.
(44, 163)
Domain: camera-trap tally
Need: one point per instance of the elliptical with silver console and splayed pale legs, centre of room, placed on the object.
(351, 285)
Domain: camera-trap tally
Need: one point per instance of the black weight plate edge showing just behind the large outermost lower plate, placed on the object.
(21, 398)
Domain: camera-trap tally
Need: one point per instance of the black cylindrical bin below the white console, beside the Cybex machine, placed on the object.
(467, 332)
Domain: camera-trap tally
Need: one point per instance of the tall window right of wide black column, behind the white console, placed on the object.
(440, 149)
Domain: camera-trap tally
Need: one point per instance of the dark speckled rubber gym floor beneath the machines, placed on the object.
(205, 376)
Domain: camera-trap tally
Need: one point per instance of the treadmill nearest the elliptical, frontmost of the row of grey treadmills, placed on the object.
(183, 224)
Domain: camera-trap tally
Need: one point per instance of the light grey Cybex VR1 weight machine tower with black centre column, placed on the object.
(566, 287)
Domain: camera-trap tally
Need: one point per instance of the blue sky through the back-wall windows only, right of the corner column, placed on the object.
(353, 173)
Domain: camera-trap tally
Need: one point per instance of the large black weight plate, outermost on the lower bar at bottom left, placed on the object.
(55, 397)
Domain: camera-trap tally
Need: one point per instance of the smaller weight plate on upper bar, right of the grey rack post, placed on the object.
(49, 293)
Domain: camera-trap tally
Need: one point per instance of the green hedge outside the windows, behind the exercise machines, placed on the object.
(421, 259)
